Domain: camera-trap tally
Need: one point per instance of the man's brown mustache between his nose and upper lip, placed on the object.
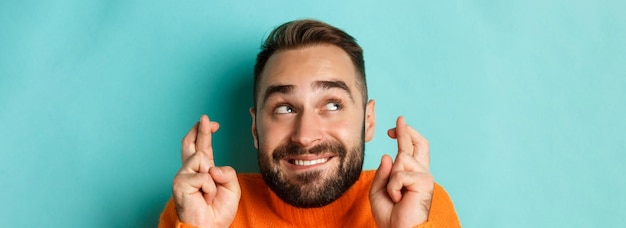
(293, 149)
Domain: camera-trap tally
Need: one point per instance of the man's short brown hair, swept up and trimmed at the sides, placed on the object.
(302, 33)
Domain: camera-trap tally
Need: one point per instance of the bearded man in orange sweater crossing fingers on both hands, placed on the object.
(310, 119)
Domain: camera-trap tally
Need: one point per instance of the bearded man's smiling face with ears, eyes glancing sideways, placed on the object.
(310, 124)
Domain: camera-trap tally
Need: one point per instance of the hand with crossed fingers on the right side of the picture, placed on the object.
(402, 189)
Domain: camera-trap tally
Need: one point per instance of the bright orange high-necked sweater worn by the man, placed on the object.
(260, 207)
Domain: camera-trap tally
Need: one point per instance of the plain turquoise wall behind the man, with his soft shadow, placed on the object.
(523, 101)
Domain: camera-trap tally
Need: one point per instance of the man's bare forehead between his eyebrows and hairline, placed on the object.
(302, 66)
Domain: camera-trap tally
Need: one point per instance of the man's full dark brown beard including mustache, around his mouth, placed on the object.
(314, 188)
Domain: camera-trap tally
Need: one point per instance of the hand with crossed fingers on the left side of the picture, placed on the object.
(205, 195)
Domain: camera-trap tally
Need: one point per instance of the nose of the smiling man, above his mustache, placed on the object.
(308, 129)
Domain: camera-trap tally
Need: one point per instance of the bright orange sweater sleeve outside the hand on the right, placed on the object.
(442, 213)
